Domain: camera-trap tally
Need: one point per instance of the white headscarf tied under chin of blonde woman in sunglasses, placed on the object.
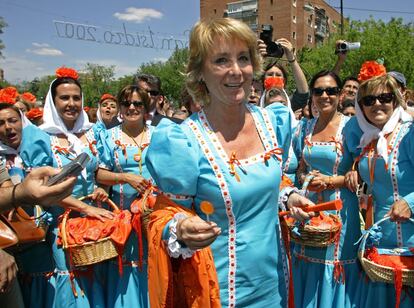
(371, 132)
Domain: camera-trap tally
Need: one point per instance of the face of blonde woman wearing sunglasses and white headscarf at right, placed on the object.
(379, 114)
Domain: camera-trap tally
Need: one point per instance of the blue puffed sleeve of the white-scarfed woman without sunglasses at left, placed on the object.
(35, 149)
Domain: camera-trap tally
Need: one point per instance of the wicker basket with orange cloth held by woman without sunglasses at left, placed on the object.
(91, 252)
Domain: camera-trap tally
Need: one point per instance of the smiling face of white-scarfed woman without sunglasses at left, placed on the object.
(68, 103)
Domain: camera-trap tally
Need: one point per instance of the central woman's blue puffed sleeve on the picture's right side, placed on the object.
(281, 119)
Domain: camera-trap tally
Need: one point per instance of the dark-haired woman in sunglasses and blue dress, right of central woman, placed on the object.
(326, 276)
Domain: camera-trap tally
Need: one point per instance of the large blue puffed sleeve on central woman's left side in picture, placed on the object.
(173, 159)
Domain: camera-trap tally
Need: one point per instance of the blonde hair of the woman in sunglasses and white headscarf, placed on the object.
(370, 86)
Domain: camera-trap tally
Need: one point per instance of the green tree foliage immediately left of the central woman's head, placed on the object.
(170, 72)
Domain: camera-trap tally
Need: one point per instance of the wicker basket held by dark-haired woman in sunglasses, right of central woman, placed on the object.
(313, 235)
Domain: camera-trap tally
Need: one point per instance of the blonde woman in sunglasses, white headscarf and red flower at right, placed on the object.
(381, 137)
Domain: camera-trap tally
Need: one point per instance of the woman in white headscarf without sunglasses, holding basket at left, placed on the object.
(65, 133)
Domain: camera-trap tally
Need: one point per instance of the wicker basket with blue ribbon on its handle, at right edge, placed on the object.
(378, 272)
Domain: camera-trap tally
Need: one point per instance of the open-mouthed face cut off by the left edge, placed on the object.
(10, 128)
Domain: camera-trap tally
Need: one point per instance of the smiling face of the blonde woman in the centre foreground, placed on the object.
(228, 72)
